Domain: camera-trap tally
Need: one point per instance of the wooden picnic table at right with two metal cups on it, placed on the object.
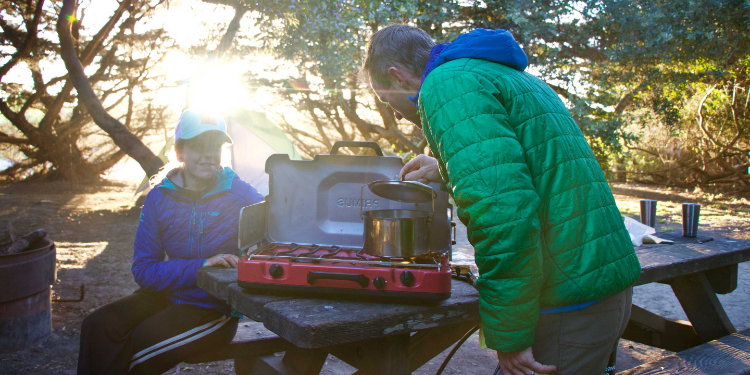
(696, 269)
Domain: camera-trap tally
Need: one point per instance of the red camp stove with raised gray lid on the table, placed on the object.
(323, 202)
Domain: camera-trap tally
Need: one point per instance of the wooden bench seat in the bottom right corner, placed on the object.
(729, 355)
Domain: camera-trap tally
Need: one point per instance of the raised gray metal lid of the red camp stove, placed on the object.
(320, 201)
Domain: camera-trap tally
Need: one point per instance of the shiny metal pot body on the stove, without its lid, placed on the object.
(398, 233)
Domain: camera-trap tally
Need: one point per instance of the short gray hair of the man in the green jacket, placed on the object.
(397, 45)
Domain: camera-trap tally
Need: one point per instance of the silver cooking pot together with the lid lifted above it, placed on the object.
(398, 233)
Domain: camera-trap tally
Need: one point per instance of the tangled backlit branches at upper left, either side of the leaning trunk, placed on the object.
(48, 129)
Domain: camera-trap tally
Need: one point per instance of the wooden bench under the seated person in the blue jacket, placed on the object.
(250, 341)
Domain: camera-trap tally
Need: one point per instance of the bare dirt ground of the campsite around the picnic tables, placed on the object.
(93, 228)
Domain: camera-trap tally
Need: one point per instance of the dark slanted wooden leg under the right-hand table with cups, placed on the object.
(701, 306)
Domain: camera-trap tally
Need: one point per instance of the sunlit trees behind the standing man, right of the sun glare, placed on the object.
(623, 67)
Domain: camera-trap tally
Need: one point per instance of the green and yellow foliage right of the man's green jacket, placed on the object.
(651, 62)
